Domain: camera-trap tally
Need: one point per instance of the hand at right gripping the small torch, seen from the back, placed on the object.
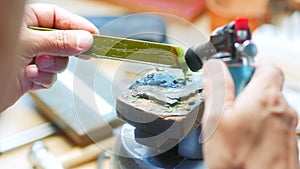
(254, 130)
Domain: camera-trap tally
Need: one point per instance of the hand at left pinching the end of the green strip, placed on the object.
(43, 54)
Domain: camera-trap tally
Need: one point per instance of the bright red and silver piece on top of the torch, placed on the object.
(241, 30)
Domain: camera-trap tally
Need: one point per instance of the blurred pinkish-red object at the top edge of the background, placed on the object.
(187, 9)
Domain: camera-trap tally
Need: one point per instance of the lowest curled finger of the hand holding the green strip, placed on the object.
(39, 78)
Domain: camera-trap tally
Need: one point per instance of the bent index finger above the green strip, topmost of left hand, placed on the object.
(51, 16)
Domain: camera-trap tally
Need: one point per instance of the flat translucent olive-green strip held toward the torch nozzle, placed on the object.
(107, 47)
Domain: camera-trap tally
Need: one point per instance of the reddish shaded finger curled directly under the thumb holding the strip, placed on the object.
(51, 64)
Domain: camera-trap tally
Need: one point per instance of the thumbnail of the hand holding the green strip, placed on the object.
(84, 41)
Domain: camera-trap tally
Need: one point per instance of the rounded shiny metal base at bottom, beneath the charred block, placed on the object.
(132, 155)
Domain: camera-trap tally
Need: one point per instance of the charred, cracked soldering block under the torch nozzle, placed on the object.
(163, 111)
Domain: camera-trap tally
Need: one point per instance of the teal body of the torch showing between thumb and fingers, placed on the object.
(241, 76)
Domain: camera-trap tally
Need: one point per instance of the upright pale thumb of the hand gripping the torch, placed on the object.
(219, 94)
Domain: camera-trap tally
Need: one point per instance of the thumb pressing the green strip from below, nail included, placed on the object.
(61, 42)
